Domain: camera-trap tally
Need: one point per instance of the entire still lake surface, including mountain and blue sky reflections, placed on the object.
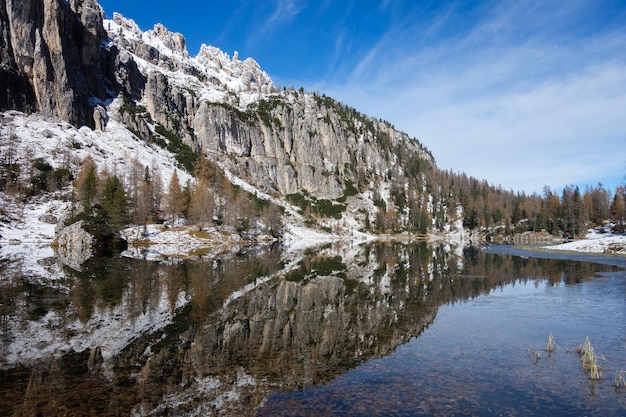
(380, 329)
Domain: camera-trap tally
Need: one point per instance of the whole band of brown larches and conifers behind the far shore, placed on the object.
(421, 198)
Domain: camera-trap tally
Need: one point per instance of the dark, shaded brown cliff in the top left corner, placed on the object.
(51, 60)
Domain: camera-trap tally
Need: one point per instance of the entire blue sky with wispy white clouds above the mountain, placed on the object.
(520, 93)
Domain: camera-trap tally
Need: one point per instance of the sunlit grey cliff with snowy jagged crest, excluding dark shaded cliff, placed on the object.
(280, 142)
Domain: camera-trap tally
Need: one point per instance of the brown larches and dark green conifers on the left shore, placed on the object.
(107, 203)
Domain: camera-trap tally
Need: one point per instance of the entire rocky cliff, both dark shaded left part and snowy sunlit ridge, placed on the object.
(64, 60)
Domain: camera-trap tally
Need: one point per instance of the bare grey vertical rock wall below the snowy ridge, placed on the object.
(298, 144)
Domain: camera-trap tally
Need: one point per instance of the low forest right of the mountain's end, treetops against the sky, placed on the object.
(569, 213)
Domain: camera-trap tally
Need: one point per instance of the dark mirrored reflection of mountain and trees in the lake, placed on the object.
(199, 336)
